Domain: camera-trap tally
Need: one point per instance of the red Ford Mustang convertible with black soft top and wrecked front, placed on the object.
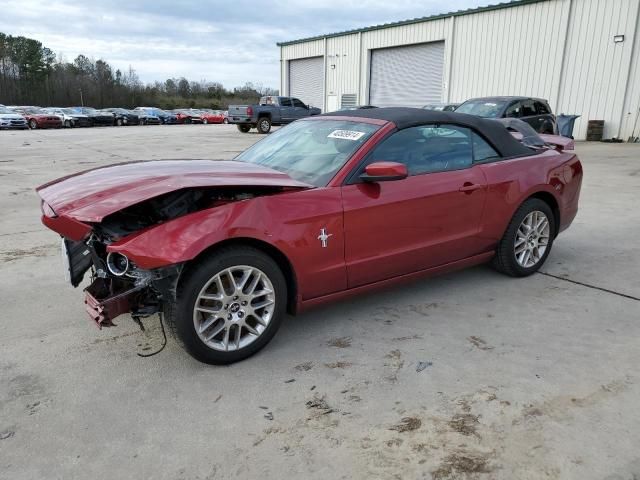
(327, 207)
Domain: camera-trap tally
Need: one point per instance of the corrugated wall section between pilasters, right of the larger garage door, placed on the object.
(513, 51)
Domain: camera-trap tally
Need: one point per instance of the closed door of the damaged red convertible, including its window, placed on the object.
(430, 218)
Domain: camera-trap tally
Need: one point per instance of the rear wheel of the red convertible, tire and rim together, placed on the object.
(517, 238)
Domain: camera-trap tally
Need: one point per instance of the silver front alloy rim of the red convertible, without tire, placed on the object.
(234, 308)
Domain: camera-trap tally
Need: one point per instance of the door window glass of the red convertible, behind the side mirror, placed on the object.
(427, 149)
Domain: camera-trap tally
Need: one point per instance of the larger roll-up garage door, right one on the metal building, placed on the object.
(407, 76)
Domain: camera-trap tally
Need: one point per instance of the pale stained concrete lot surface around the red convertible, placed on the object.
(468, 375)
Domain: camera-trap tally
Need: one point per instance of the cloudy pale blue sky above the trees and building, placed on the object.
(228, 41)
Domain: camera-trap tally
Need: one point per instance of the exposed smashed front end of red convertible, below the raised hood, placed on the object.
(118, 285)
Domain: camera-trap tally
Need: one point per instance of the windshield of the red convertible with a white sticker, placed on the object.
(311, 151)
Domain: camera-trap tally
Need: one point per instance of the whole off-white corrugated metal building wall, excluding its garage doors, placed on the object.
(561, 50)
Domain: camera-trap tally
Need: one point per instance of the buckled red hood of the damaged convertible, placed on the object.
(91, 195)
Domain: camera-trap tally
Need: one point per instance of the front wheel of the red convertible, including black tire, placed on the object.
(182, 318)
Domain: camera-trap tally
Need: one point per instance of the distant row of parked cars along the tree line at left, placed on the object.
(31, 117)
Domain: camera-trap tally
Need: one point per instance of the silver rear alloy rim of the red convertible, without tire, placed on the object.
(532, 239)
